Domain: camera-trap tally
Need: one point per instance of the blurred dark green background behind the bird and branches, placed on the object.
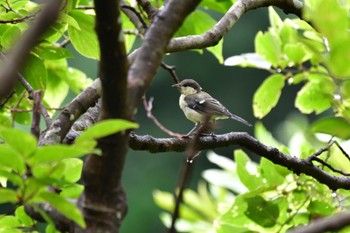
(233, 86)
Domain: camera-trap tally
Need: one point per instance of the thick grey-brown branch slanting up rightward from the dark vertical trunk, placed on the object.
(153, 48)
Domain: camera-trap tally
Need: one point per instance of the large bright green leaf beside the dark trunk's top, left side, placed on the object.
(84, 40)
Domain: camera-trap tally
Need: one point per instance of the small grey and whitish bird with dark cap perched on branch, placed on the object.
(197, 105)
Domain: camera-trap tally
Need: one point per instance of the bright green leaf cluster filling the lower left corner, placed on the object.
(31, 176)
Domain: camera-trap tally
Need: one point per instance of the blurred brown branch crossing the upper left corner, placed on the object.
(17, 57)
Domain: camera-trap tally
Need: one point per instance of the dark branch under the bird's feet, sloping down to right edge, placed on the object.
(298, 166)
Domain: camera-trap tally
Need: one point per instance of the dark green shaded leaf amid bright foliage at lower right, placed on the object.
(261, 211)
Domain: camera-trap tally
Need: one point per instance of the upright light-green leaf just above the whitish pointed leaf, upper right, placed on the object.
(268, 46)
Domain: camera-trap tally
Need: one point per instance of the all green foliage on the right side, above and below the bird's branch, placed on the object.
(245, 196)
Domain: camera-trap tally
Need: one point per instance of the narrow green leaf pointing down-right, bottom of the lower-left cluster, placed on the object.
(64, 207)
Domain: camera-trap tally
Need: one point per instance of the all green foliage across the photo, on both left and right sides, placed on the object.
(241, 196)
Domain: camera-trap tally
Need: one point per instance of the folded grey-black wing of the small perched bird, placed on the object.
(202, 102)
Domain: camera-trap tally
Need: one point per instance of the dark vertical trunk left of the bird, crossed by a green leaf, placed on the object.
(103, 203)
